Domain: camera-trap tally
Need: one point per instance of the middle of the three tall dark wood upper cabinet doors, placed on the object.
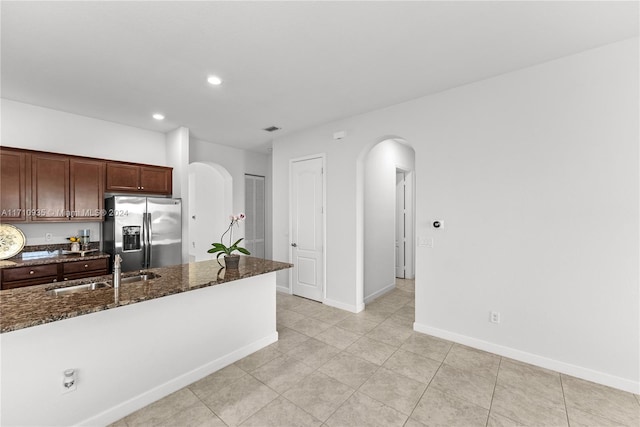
(49, 187)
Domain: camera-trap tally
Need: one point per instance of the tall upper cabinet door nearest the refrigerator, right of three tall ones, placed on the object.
(86, 190)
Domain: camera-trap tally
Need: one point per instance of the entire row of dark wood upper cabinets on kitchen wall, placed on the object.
(38, 186)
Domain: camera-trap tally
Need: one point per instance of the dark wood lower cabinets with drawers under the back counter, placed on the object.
(47, 273)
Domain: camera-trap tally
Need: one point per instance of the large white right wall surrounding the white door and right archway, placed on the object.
(535, 175)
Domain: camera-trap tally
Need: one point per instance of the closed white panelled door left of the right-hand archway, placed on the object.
(307, 228)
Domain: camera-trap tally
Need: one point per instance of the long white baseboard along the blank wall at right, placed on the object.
(534, 359)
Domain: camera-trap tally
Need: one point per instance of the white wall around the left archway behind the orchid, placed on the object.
(237, 162)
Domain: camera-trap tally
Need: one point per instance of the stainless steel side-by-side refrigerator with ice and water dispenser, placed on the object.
(145, 231)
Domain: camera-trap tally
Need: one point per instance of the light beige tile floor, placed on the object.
(334, 368)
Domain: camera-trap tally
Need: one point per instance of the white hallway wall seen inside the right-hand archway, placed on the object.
(380, 214)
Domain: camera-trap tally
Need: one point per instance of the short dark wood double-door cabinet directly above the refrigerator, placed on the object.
(130, 178)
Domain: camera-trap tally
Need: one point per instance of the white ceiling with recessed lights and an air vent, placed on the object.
(289, 64)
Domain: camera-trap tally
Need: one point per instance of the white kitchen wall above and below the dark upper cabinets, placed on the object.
(37, 128)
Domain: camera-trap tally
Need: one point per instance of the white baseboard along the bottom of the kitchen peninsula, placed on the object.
(125, 408)
